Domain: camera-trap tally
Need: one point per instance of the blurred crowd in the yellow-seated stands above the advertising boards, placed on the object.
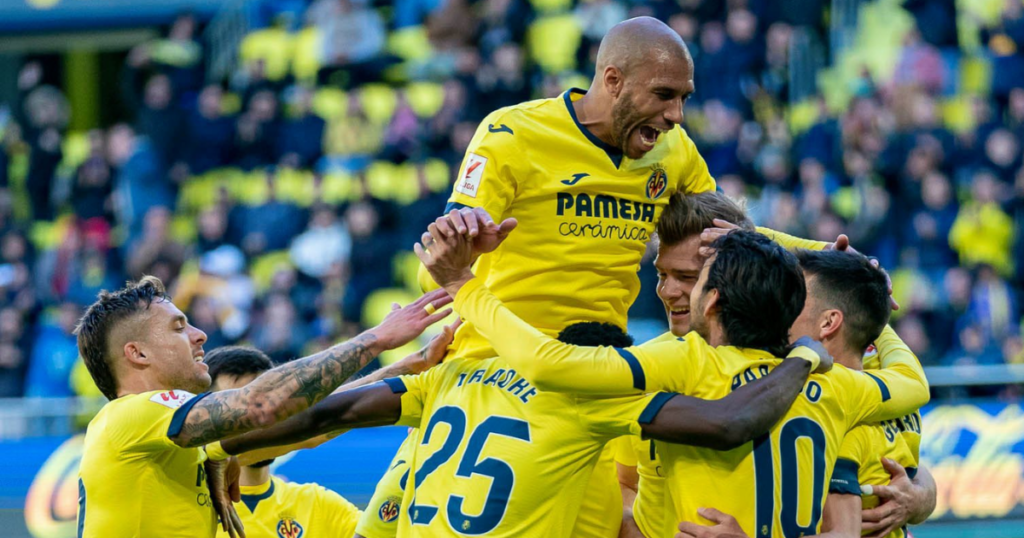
(280, 204)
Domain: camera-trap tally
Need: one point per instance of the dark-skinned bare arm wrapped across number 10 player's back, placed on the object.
(732, 422)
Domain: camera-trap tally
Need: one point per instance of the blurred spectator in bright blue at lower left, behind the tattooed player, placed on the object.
(54, 355)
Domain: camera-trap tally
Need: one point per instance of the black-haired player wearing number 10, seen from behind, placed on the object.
(749, 295)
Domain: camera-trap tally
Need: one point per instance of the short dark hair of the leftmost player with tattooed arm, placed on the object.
(111, 310)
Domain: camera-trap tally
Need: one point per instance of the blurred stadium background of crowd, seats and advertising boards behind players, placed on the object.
(274, 161)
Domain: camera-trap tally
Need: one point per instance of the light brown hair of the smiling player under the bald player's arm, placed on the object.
(689, 216)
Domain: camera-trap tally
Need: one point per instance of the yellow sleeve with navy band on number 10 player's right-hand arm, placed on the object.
(899, 389)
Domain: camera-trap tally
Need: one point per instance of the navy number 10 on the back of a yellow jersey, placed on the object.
(764, 478)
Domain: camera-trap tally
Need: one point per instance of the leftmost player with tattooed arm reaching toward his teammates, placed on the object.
(143, 471)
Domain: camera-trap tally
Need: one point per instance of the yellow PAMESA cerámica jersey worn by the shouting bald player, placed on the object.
(585, 212)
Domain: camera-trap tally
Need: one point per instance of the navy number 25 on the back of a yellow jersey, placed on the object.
(500, 472)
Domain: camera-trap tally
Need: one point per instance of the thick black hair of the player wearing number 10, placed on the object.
(761, 291)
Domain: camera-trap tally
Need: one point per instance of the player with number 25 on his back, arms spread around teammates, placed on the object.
(501, 459)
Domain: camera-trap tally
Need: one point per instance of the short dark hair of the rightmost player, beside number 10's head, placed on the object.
(848, 282)
